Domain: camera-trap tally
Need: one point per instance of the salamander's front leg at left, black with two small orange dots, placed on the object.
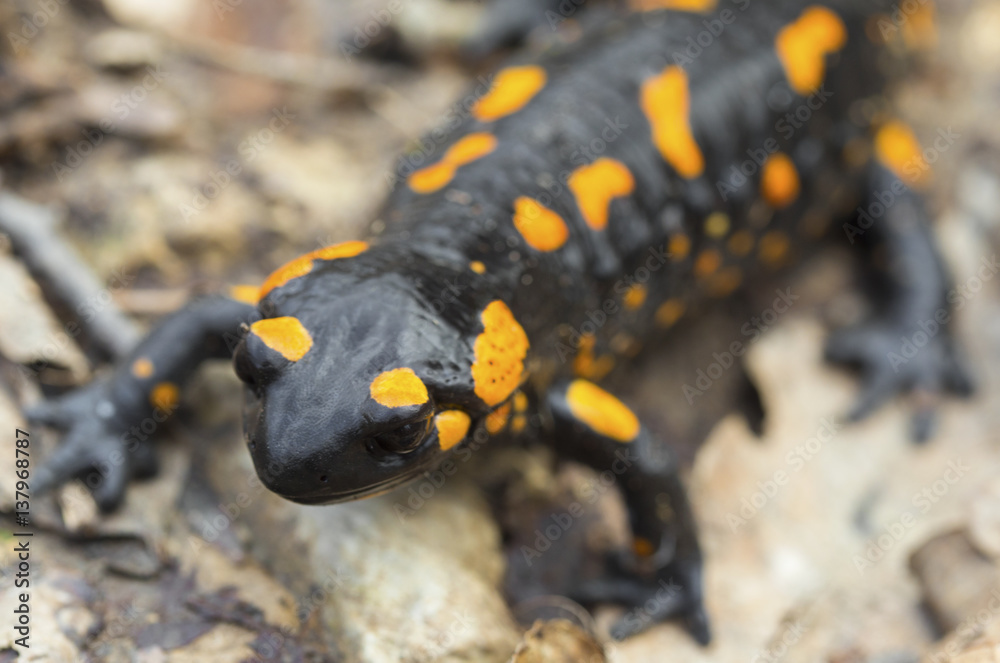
(107, 421)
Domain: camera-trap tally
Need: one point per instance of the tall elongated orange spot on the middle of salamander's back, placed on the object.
(666, 101)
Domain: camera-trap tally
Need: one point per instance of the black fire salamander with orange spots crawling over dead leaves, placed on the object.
(688, 147)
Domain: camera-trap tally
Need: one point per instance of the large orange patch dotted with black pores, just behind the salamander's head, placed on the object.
(500, 351)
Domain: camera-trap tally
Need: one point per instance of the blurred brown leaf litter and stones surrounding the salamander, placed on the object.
(184, 147)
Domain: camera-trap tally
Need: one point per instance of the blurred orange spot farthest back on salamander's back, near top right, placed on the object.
(803, 45)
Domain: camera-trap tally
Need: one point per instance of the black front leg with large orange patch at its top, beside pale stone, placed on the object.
(663, 576)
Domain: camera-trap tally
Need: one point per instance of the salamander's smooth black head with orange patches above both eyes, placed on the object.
(355, 385)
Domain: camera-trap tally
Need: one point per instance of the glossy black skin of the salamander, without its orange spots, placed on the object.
(411, 300)
